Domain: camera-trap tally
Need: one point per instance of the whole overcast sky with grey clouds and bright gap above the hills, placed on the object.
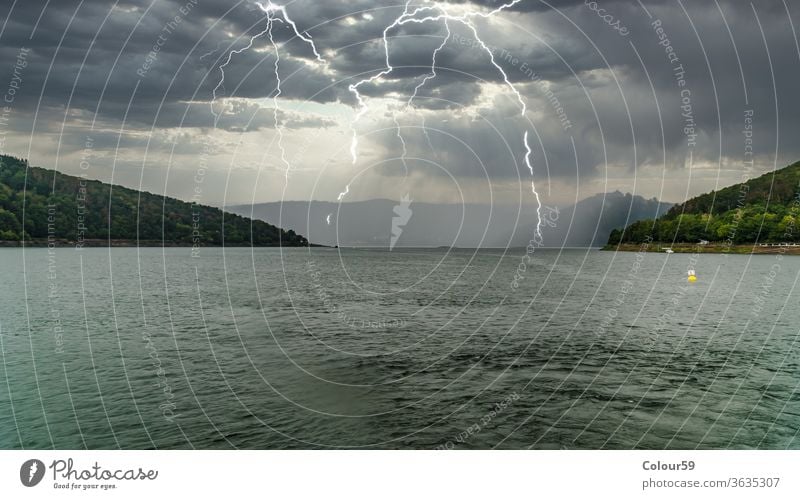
(648, 97)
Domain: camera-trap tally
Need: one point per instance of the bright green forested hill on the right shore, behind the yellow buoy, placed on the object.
(760, 210)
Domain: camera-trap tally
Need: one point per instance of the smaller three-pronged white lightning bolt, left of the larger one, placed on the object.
(271, 10)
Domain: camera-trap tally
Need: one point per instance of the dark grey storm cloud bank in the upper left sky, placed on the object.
(101, 63)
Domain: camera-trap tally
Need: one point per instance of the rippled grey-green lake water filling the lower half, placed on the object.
(297, 348)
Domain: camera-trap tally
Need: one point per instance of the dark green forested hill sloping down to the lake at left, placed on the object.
(84, 210)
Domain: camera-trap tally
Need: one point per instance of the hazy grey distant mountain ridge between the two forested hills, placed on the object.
(371, 223)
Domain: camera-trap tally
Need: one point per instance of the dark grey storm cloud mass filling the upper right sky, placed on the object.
(629, 112)
